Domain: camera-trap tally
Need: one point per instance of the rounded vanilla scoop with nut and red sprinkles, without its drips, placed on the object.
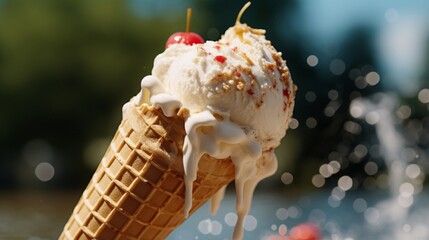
(241, 76)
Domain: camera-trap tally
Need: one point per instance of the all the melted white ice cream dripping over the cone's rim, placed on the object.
(221, 139)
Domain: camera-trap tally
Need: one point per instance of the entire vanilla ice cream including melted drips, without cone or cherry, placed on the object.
(239, 96)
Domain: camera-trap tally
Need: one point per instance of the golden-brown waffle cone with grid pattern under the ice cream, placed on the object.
(138, 190)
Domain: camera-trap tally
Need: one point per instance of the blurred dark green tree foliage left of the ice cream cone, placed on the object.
(66, 68)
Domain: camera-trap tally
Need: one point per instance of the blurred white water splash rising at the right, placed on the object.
(378, 110)
